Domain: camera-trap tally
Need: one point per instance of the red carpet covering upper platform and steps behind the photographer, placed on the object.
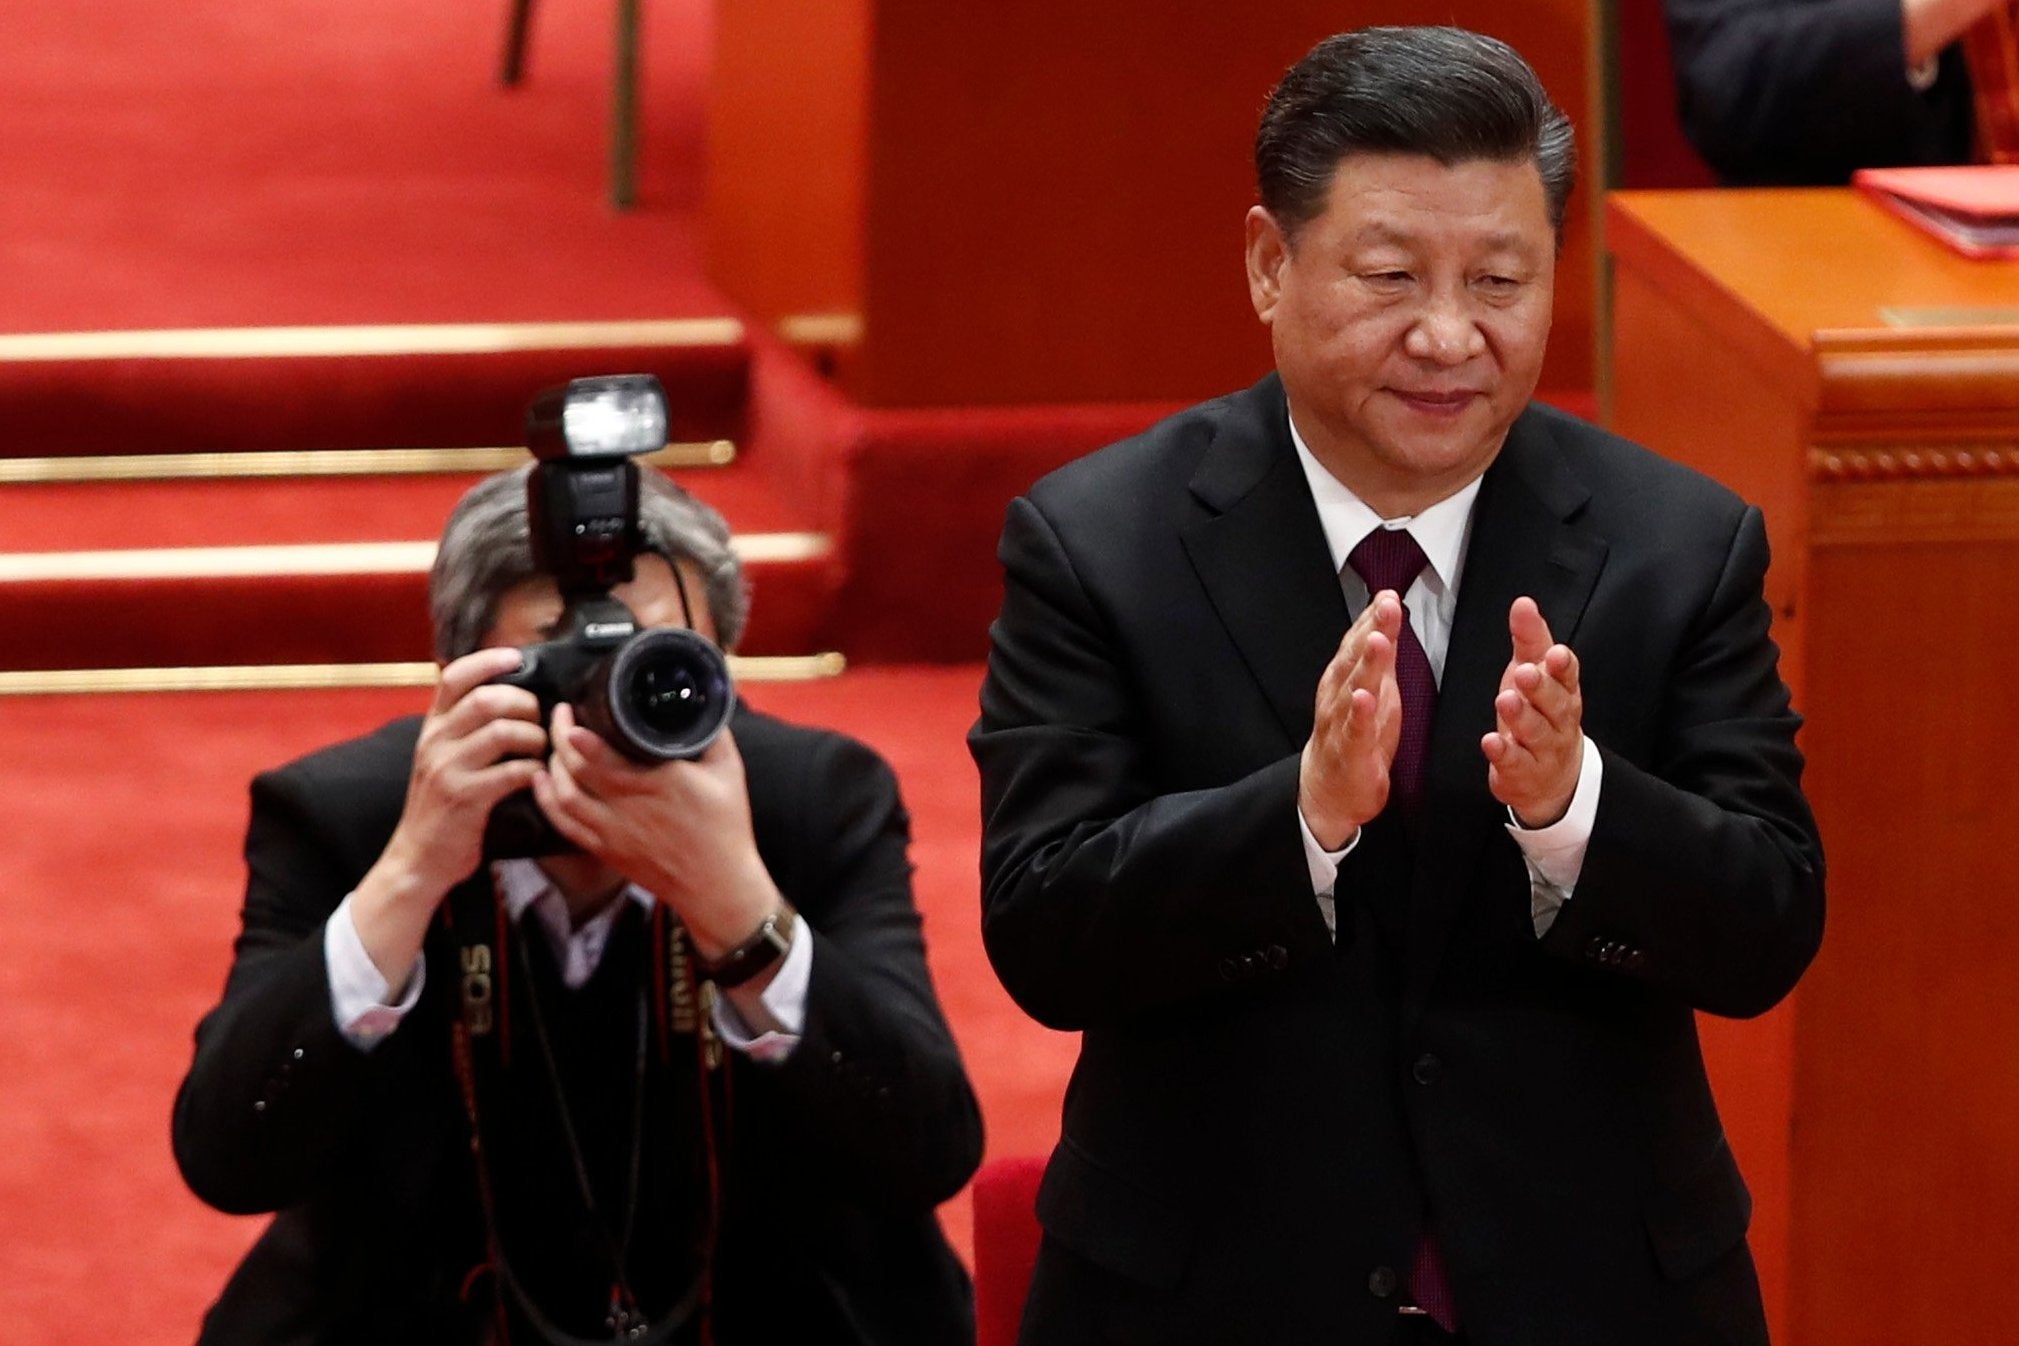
(195, 162)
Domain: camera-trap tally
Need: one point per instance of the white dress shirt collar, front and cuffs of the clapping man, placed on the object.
(1556, 855)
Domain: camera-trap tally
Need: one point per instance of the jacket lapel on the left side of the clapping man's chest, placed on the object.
(1261, 556)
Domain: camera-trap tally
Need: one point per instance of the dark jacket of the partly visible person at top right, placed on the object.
(1804, 92)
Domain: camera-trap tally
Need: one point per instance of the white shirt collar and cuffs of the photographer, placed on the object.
(358, 994)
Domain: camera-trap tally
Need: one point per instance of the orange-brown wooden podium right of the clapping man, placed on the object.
(1863, 386)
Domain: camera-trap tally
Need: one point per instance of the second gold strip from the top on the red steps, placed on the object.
(318, 463)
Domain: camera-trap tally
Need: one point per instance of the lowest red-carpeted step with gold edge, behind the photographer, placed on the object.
(308, 570)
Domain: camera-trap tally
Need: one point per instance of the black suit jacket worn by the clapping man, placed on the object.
(1261, 1119)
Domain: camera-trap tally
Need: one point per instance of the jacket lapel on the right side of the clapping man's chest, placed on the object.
(1525, 540)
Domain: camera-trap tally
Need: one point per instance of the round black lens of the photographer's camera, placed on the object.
(669, 695)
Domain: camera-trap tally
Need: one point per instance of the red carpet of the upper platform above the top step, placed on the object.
(221, 164)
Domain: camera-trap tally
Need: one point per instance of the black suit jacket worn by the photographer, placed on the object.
(837, 1161)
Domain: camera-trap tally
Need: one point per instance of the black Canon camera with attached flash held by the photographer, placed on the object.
(655, 695)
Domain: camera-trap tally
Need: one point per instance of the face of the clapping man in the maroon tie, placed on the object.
(1410, 320)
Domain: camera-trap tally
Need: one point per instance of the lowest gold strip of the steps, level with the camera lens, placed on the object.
(322, 677)
